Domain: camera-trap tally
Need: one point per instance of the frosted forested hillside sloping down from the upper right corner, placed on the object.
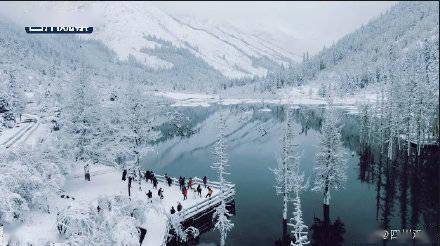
(386, 45)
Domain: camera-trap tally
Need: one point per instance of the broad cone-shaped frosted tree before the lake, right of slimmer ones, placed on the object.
(330, 170)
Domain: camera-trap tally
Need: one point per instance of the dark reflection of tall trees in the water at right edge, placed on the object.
(407, 188)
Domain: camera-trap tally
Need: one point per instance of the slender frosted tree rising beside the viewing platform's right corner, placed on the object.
(221, 214)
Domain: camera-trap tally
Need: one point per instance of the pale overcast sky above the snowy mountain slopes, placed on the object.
(320, 22)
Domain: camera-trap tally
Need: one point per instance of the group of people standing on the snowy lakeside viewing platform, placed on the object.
(185, 186)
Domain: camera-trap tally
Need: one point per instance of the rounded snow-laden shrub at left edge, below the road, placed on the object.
(26, 180)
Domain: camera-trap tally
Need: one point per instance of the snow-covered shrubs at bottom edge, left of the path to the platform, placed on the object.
(114, 224)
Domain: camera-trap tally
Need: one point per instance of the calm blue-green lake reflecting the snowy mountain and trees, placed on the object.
(397, 194)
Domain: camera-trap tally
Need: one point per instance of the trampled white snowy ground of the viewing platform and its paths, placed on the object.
(106, 181)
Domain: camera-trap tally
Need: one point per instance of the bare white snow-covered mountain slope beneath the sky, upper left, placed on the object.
(132, 28)
